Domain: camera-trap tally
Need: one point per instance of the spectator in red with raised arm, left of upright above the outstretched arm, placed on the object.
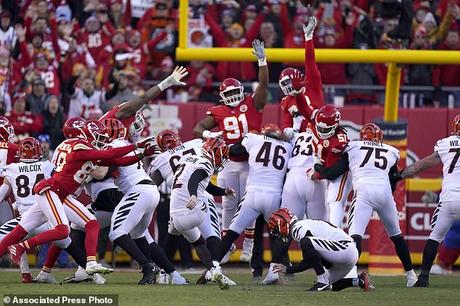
(141, 51)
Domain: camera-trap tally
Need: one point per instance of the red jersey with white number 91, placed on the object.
(235, 122)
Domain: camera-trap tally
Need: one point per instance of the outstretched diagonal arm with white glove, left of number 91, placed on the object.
(130, 108)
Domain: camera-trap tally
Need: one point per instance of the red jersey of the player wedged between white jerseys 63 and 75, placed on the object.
(329, 150)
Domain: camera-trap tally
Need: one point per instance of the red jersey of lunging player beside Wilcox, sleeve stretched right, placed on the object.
(74, 160)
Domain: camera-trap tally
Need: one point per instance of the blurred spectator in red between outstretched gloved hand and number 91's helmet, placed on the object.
(200, 77)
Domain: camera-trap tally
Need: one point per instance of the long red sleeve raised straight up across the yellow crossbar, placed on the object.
(312, 76)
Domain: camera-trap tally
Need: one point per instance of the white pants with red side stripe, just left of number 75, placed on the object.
(337, 195)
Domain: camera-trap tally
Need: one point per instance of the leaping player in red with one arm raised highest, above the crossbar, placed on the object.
(302, 94)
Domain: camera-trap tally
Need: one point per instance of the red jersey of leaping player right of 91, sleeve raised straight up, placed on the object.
(312, 98)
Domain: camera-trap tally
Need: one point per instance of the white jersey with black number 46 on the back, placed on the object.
(268, 160)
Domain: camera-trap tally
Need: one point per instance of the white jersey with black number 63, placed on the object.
(303, 153)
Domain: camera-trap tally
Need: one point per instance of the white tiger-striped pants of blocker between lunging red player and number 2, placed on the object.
(134, 212)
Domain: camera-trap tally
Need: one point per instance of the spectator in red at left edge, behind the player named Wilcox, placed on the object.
(24, 122)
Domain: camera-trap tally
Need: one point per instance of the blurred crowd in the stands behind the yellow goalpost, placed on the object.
(67, 58)
